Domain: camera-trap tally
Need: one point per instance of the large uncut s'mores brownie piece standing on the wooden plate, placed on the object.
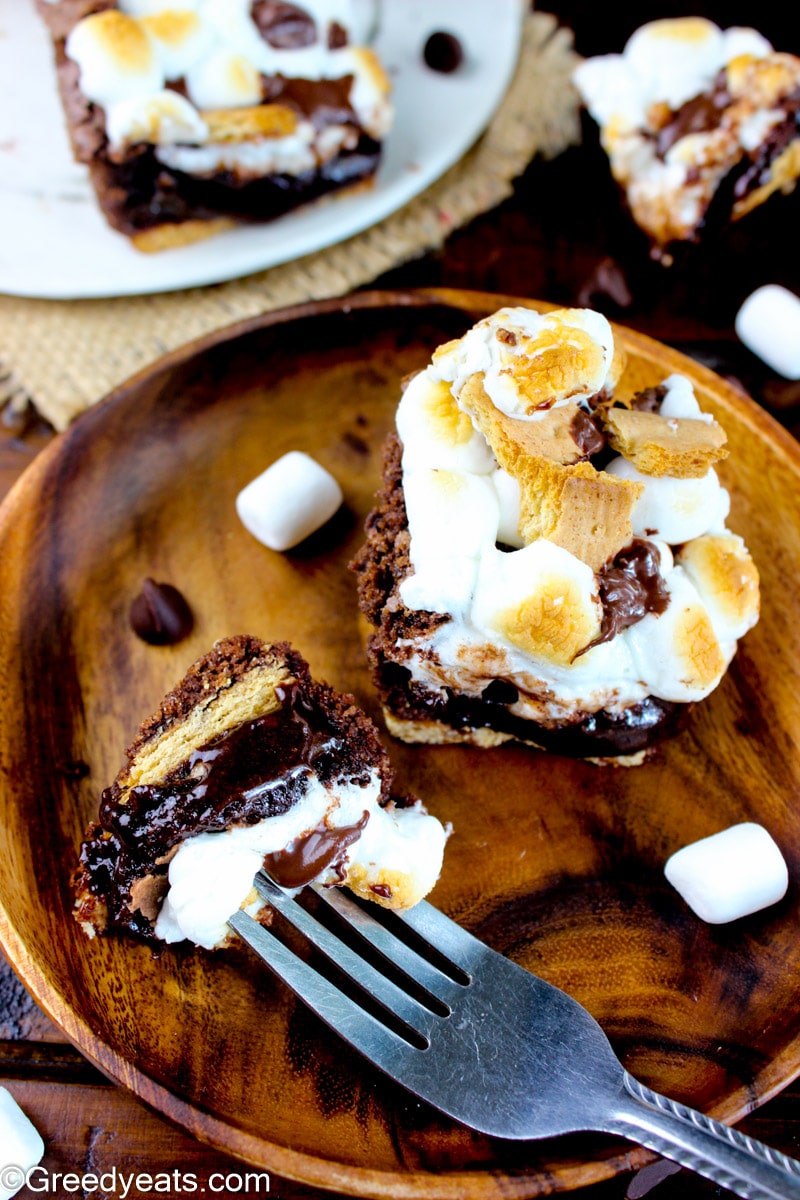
(549, 559)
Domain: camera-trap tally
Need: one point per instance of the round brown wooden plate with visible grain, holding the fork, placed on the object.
(557, 863)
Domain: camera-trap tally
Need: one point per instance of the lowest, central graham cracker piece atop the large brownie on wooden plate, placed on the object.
(581, 509)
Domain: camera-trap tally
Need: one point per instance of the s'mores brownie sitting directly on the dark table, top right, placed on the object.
(695, 121)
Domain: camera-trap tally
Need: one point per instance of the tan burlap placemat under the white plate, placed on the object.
(65, 356)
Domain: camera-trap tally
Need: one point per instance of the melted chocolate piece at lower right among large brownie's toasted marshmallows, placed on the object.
(629, 590)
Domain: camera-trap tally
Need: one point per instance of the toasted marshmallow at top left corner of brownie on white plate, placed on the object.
(117, 58)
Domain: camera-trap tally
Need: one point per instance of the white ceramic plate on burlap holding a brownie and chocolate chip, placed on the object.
(57, 245)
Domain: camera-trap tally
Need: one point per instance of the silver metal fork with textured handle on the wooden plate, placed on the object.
(492, 1046)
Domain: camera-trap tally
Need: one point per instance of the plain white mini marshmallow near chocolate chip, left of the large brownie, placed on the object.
(290, 501)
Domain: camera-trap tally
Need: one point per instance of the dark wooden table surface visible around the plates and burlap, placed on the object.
(564, 238)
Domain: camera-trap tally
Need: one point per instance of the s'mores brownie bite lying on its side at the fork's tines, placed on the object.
(249, 764)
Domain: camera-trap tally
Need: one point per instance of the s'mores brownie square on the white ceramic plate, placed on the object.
(194, 116)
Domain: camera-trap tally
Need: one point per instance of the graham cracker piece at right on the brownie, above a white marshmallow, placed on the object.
(682, 447)
